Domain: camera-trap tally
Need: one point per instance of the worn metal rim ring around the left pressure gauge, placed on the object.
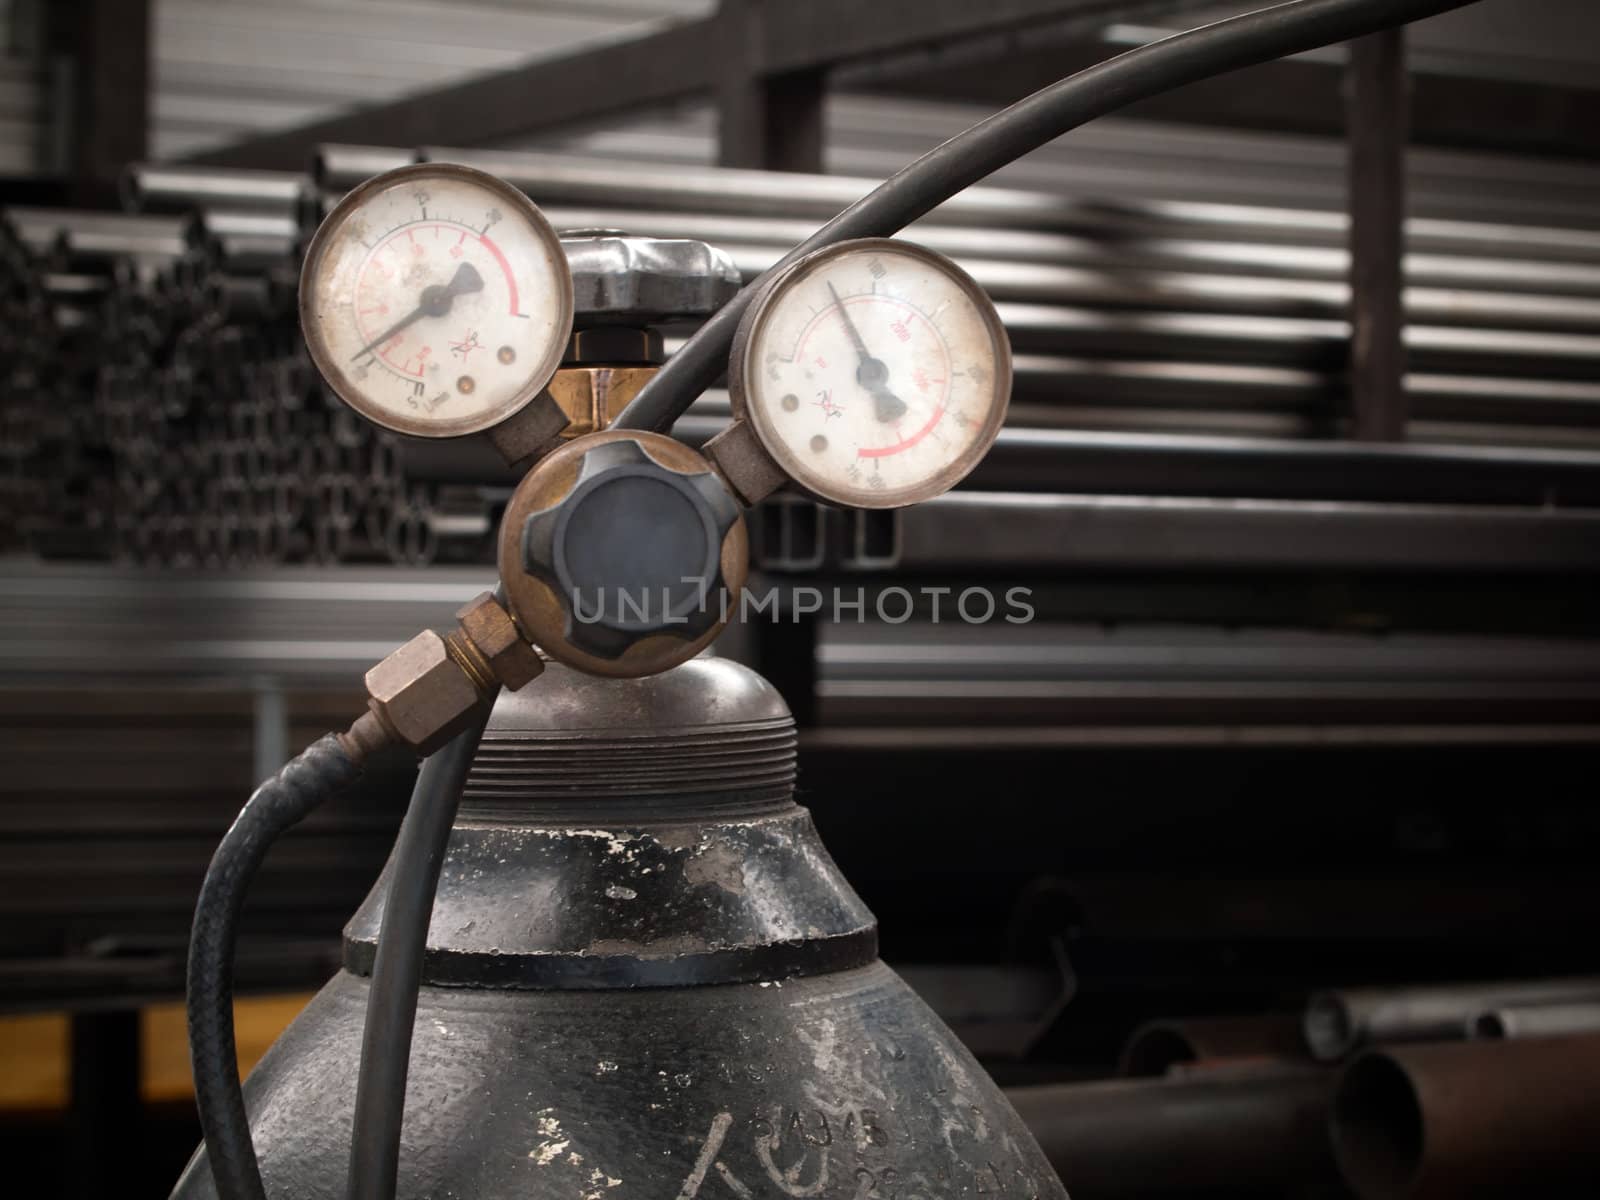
(346, 390)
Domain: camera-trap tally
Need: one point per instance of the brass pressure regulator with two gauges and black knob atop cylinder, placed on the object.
(438, 302)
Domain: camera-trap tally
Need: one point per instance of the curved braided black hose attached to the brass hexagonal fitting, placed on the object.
(318, 775)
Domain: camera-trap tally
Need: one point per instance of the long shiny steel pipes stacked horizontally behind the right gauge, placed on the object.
(1159, 314)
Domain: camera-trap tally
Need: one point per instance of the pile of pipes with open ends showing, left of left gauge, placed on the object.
(161, 406)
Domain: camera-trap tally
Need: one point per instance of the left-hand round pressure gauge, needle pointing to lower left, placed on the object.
(436, 300)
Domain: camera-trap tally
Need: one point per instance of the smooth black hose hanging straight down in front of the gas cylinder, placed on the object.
(398, 969)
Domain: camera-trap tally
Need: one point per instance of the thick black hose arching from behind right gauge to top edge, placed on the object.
(1034, 121)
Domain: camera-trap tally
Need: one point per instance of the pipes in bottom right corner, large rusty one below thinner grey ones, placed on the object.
(1465, 1089)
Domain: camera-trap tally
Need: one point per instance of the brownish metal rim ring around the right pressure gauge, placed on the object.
(743, 370)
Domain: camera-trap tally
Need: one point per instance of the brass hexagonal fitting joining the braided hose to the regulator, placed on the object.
(430, 689)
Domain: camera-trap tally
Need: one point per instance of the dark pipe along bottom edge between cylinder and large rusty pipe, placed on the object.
(1234, 1132)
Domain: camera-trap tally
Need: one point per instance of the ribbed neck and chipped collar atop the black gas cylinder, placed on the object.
(634, 834)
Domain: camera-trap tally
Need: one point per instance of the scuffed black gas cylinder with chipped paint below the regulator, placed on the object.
(646, 982)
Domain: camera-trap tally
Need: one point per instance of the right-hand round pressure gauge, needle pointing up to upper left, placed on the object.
(874, 372)
